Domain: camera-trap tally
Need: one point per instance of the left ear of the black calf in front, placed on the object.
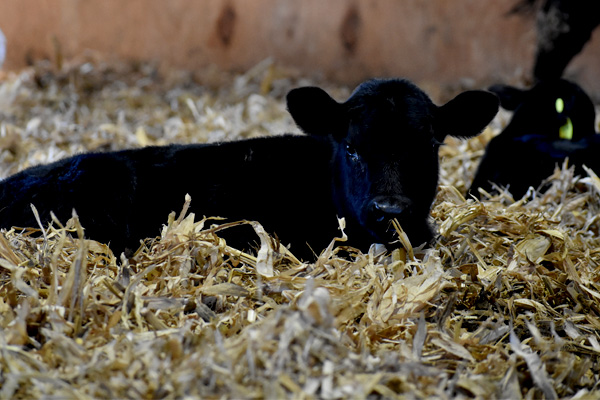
(315, 112)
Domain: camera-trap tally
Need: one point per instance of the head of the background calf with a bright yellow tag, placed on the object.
(556, 109)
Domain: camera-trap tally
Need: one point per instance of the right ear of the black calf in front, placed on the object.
(466, 115)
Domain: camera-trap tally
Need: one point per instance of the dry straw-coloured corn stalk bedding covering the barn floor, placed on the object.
(506, 304)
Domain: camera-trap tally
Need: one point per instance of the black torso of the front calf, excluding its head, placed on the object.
(122, 197)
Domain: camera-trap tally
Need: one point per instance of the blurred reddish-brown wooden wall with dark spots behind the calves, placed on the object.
(442, 41)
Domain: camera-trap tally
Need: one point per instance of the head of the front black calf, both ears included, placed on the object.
(385, 140)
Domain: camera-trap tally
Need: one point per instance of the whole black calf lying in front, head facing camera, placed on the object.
(369, 159)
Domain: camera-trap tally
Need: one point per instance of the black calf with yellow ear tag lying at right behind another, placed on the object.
(552, 121)
